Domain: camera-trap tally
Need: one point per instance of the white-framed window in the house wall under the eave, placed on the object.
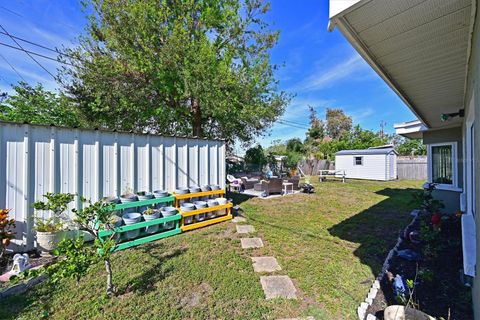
(442, 164)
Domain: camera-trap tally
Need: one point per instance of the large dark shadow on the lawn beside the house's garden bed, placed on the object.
(376, 229)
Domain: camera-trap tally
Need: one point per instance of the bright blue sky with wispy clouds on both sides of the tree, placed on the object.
(321, 68)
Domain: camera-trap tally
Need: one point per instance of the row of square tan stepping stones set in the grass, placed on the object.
(273, 286)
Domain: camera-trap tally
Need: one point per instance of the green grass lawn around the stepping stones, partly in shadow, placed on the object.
(331, 243)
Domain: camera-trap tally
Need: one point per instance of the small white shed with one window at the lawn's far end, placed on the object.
(370, 164)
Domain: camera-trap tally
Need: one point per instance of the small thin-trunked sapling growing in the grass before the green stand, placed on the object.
(92, 219)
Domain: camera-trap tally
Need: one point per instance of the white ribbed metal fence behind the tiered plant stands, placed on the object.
(35, 160)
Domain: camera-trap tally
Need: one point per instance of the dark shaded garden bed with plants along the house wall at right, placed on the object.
(438, 290)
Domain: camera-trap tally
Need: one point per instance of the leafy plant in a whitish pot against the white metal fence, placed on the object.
(50, 230)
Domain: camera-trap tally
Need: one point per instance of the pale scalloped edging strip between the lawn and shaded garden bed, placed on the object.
(372, 293)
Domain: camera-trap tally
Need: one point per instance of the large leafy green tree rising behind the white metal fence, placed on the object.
(195, 67)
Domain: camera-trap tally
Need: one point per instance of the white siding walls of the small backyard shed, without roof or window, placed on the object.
(373, 168)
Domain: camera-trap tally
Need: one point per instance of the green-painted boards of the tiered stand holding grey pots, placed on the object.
(144, 237)
